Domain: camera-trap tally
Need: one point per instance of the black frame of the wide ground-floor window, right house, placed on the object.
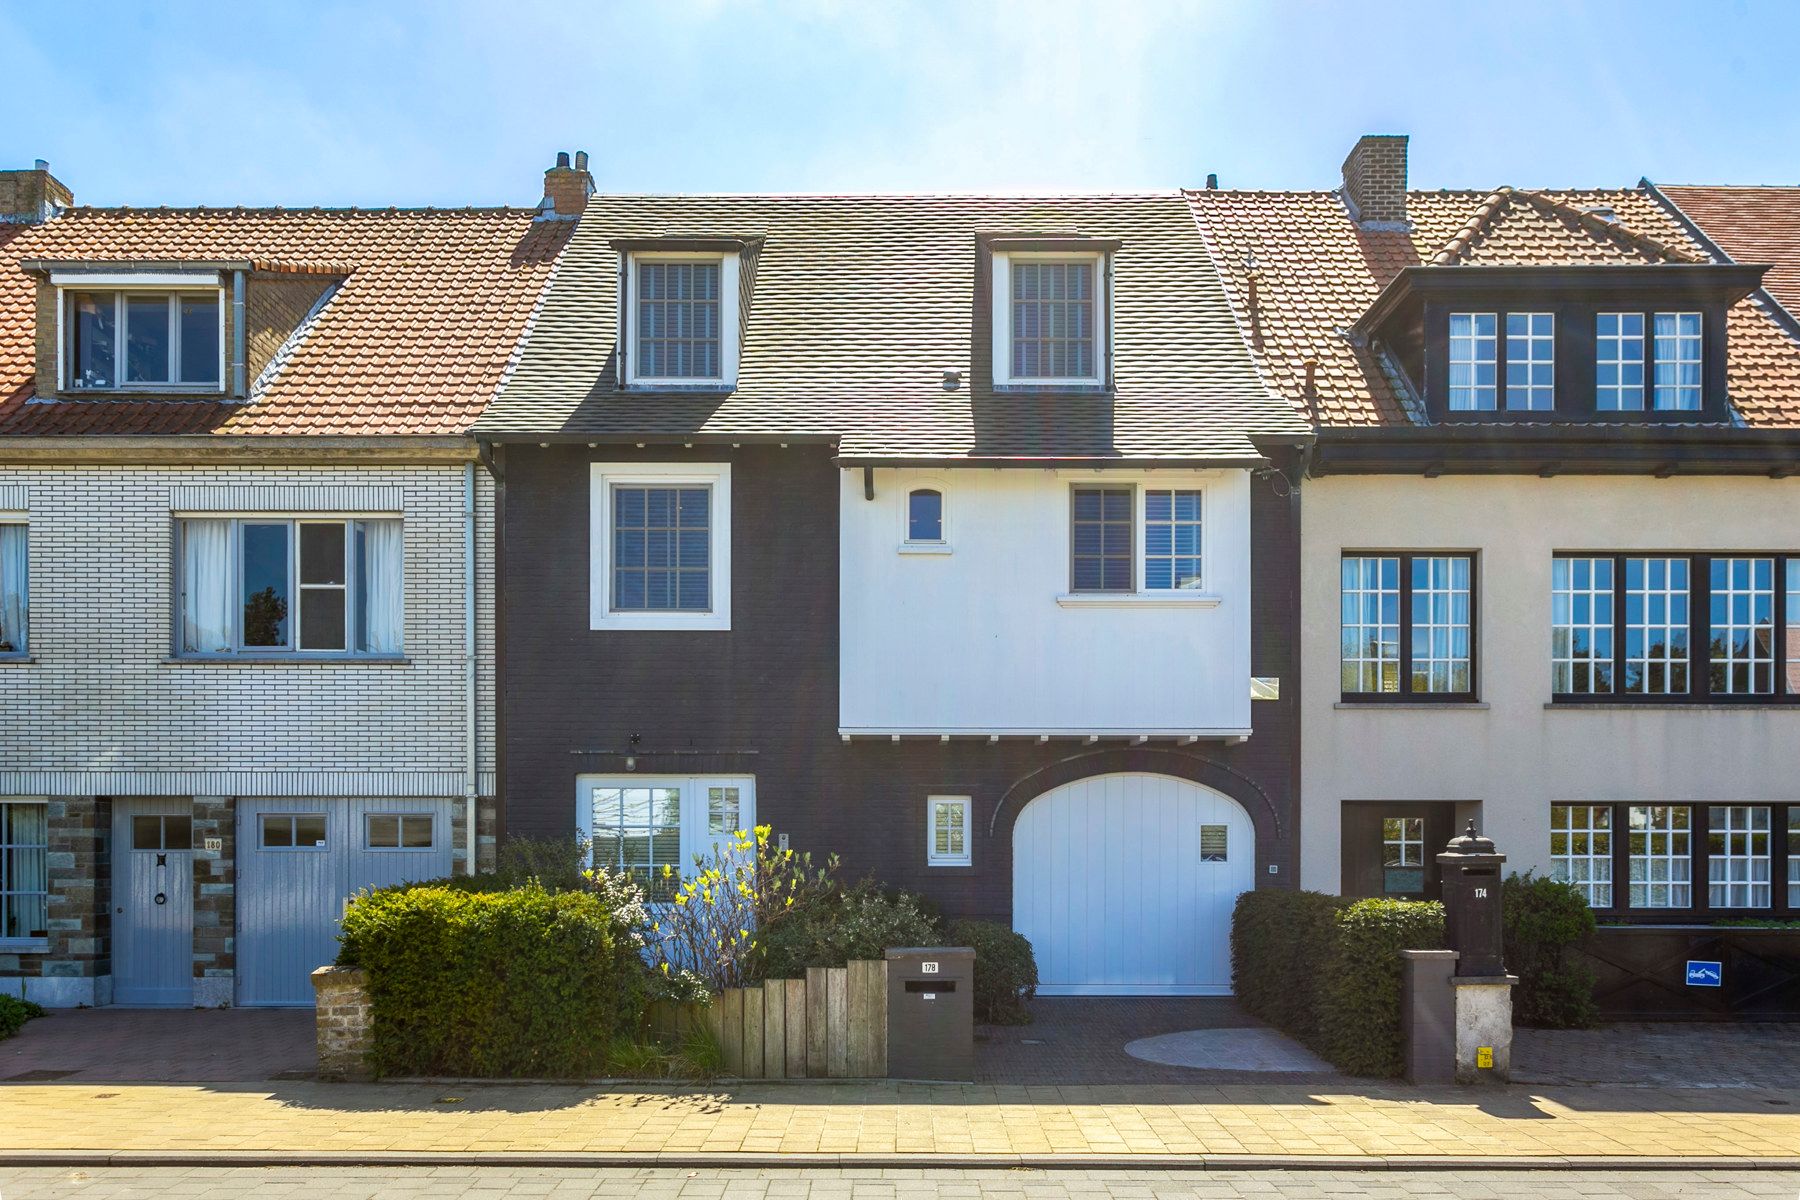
(1785, 899)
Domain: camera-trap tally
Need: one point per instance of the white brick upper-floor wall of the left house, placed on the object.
(111, 712)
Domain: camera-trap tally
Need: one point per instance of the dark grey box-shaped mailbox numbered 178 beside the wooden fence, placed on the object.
(931, 1014)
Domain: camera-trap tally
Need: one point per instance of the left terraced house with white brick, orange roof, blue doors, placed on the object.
(246, 578)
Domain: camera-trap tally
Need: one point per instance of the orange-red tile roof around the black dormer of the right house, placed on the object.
(1317, 273)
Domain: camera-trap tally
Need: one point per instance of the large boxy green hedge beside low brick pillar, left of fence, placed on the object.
(517, 983)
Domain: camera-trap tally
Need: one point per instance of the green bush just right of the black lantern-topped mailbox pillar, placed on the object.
(1543, 922)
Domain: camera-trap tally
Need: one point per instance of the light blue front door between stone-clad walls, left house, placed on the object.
(154, 902)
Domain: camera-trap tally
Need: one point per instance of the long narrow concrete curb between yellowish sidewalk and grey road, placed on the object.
(930, 1161)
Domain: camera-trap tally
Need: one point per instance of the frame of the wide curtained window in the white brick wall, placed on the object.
(350, 587)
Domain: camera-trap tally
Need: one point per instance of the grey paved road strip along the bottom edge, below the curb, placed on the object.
(874, 1185)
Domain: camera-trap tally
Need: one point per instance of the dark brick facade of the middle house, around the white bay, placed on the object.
(762, 699)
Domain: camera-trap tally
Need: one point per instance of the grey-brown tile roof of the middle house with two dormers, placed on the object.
(861, 303)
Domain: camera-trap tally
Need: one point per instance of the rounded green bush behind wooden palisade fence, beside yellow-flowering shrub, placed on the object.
(838, 927)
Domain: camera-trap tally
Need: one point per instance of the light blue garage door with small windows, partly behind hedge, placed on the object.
(300, 861)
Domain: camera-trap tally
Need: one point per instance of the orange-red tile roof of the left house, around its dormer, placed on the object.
(415, 341)
